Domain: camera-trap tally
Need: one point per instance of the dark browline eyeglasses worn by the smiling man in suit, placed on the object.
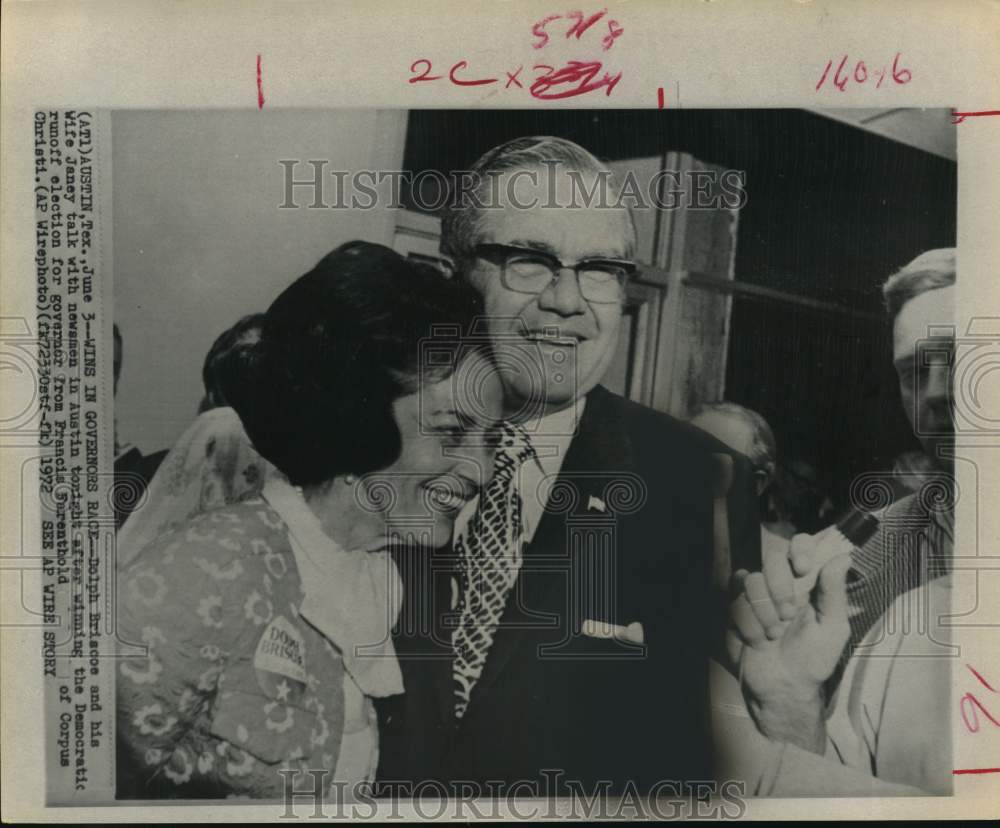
(523, 270)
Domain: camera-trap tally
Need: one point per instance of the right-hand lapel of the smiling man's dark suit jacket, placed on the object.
(600, 449)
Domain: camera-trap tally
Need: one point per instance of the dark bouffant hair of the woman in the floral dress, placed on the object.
(337, 348)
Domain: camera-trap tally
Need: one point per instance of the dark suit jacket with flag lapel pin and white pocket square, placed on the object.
(551, 698)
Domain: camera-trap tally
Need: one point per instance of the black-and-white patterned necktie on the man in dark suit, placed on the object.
(489, 558)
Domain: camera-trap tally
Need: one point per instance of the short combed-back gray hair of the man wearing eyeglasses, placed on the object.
(462, 221)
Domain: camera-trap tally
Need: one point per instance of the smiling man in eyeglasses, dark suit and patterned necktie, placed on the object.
(564, 638)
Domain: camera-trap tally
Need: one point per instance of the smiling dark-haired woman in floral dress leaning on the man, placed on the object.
(258, 631)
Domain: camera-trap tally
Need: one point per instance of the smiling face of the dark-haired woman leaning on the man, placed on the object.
(448, 429)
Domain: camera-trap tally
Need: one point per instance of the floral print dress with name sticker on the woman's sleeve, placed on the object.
(222, 685)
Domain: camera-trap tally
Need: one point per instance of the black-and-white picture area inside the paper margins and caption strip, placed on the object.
(492, 465)
